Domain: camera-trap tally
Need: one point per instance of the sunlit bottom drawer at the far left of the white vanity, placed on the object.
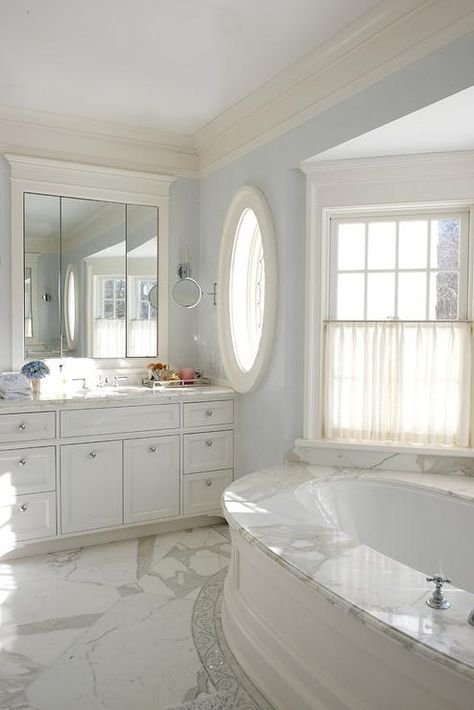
(29, 517)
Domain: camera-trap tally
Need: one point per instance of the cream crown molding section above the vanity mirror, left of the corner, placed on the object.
(71, 138)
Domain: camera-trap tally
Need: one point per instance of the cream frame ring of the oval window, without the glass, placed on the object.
(248, 197)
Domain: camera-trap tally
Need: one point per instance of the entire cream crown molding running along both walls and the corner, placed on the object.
(382, 41)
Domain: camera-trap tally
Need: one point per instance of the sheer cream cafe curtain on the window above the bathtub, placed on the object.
(393, 381)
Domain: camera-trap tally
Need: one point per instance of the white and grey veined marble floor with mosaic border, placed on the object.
(126, 625)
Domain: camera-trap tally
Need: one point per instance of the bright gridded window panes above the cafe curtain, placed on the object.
(407, 267)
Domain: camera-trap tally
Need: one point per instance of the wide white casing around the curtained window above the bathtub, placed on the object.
(336, 189)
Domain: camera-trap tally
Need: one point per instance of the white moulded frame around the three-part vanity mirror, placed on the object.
(67, 179)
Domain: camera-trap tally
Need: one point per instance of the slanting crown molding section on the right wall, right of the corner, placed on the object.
(382, 41)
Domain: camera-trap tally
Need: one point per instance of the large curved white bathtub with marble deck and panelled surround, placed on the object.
(325, 602)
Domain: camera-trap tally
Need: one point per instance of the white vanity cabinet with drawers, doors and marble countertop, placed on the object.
(95, 465)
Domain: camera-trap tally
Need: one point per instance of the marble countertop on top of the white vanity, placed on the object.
(112, 396)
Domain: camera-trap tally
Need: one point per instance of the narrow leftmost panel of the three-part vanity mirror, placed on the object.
(41, 274)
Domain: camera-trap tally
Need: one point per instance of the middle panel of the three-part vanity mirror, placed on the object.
(93, 249)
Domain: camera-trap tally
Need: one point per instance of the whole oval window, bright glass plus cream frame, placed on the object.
(247, 292)
